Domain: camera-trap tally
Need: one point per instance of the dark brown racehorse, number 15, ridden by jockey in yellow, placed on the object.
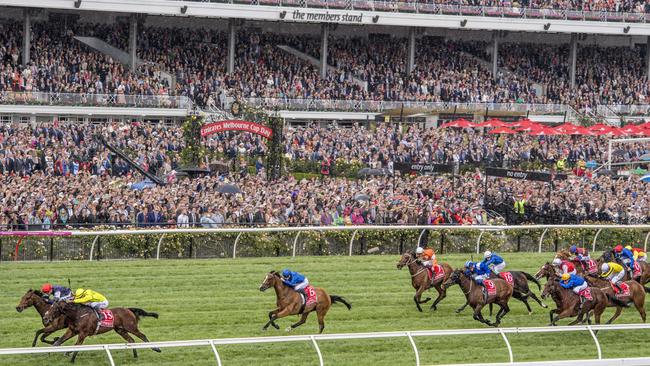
(82, 320)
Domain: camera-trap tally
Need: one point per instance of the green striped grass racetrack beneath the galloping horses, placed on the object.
(199, 299)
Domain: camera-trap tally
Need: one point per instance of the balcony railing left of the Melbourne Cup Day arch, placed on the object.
(95, 100)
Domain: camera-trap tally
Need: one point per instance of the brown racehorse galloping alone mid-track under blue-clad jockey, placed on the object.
(289, 302)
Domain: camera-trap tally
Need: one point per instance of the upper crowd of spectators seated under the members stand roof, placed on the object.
(365, 68)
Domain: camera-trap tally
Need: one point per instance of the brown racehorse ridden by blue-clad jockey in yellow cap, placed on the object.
(567, 303)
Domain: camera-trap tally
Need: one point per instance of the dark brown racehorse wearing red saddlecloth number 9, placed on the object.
(474, 295)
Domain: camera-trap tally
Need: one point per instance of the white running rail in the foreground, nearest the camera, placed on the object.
(213, 343)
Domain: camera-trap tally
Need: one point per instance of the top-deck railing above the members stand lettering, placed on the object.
(449, 9)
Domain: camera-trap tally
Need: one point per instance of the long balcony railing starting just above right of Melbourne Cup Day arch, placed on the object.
(381, 106)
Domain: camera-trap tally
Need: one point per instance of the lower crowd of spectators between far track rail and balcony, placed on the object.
(60, 175)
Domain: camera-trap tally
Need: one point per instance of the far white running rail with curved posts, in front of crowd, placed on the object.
(355, 229)
